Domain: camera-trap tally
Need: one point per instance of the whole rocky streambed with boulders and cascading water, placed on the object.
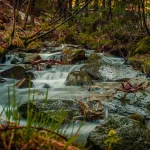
(94, 88)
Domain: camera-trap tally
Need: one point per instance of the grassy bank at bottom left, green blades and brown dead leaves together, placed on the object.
(42, 131)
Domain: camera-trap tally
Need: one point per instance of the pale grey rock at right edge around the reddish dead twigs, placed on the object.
(127, 104)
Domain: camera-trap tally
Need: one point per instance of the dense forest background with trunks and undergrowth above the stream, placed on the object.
(104, 25)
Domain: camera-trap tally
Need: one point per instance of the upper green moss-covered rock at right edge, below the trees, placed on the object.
(143, 46)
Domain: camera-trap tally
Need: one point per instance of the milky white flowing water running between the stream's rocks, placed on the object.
(53, 80)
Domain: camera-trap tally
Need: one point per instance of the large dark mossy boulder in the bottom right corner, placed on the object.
(132, 134)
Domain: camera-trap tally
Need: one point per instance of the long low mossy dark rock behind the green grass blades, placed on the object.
(42, 109)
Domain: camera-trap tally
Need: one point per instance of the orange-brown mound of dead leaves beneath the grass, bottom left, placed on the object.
(14, 137)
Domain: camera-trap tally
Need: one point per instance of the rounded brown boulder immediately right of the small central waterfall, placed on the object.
(78, 78)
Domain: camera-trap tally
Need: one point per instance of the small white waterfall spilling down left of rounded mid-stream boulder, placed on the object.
(55, 77)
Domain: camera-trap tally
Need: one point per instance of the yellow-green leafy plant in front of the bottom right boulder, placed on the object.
(111, 140)
